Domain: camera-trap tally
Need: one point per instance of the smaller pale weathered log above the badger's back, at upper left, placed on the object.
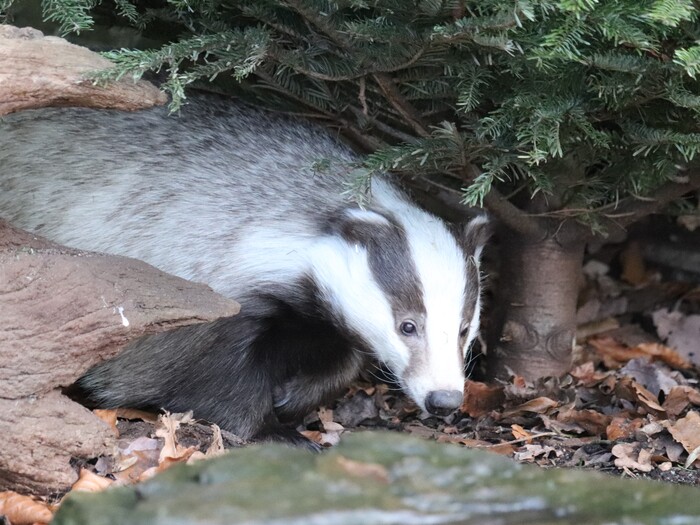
(38, 71)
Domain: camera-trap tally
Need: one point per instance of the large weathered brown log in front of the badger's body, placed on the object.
(61, 312)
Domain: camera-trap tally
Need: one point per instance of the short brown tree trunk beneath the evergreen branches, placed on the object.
(533, 326)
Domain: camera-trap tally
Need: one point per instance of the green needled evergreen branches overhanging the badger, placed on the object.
(583, 102)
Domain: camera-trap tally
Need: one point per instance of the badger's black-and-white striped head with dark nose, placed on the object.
(410, 289)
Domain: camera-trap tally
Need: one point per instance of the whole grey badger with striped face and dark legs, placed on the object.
(232, 196)
